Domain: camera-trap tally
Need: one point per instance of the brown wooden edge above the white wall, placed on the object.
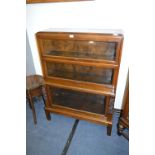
(49, 1)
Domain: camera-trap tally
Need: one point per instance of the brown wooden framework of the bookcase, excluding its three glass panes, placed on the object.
(108, 91)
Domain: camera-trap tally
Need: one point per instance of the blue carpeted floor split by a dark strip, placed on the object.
(50, 137)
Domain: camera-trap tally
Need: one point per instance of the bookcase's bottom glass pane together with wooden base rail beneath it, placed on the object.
(79, 105)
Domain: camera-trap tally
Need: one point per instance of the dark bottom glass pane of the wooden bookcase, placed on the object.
(79, 101)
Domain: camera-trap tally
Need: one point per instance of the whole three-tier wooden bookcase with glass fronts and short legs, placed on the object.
(80, 70)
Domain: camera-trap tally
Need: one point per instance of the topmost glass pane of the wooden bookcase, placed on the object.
(80, 49)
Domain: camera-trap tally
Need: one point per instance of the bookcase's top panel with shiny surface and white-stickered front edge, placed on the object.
(75, 34)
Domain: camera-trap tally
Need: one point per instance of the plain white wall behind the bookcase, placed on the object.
(101, 14)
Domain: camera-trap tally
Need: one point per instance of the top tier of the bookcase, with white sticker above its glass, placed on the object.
(83, 45)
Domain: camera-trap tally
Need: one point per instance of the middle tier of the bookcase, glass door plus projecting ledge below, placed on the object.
(79, 76)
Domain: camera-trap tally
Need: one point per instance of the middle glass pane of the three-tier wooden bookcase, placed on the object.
(80, 73)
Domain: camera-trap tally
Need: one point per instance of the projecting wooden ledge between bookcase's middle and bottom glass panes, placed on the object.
(100, 89)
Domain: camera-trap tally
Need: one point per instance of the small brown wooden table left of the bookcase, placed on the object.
(34, 88)
